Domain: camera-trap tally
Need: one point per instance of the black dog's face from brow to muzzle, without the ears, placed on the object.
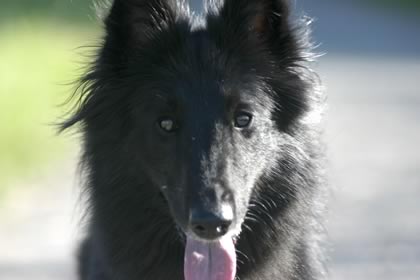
(204, 136)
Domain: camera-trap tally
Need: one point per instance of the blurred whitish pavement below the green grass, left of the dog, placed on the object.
(38, 226)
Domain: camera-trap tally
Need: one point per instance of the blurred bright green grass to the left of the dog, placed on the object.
(38, 58)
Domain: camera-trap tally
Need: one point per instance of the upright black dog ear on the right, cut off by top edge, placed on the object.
(267, 19)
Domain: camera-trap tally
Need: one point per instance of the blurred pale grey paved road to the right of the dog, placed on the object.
(373, 136)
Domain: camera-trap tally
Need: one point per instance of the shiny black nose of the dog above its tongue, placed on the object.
(211, 225)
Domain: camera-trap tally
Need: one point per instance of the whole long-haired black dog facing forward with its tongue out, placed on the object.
(201, 158)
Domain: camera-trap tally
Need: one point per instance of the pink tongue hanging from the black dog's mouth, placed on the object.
(210, 261)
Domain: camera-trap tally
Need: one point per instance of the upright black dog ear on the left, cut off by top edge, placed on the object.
(132, 22)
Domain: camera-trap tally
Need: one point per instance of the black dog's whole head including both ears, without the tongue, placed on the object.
(202, 109)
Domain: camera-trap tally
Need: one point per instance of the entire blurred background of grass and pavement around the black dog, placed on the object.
(371, 72)
